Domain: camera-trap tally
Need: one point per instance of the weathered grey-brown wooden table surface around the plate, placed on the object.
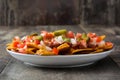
(105, 69)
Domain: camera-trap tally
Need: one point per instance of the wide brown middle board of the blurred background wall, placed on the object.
(43, 12)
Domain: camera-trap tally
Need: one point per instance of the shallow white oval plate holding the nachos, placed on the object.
(60, 60)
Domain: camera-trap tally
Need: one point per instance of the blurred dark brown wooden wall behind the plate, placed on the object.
(59, 12)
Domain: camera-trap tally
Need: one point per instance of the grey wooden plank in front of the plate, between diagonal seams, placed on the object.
(105, 69)
